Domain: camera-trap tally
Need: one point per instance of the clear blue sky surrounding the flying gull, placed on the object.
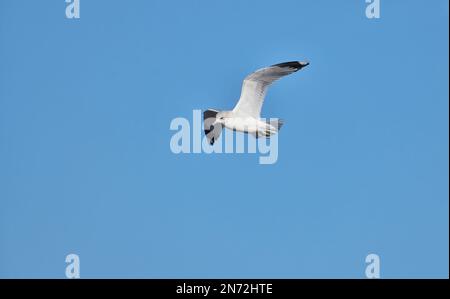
(86, 166)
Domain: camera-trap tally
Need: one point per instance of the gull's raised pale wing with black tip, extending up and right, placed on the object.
(256, 84)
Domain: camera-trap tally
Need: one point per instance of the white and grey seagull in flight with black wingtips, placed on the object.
(246, 115)
